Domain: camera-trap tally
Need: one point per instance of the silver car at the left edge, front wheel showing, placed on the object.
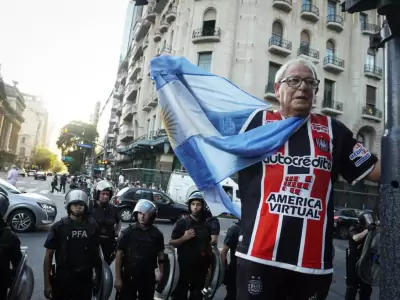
(27, 210)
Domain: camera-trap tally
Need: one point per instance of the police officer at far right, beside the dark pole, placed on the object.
(357, 236)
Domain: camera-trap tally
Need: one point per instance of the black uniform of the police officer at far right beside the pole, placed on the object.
(353, 281)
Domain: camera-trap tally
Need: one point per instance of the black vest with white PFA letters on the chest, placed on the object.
(78, 249)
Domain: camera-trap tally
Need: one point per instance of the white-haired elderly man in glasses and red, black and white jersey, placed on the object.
(287, 200)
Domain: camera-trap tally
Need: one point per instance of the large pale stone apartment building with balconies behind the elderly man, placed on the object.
(247, 41)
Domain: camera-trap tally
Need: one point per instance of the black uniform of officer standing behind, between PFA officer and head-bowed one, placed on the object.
(106, 218)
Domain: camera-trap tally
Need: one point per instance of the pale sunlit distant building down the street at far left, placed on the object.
(34, 129)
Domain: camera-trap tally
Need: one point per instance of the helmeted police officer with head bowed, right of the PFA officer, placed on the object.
(139, 248)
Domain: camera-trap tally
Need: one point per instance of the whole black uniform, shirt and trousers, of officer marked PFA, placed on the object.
(76, 246)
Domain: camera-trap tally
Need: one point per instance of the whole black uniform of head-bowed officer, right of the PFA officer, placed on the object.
(140, 248)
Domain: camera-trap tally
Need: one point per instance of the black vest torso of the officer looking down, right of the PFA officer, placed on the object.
(141, 251)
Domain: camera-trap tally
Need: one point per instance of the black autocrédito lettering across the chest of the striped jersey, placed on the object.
(319, 162)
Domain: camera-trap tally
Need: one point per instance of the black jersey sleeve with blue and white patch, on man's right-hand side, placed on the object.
(355, 161)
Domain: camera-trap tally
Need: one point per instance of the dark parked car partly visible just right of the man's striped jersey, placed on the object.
(343, 219)
